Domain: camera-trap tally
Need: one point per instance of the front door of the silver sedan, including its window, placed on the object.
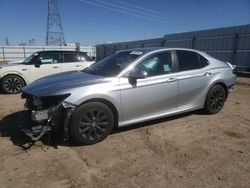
(153, 96)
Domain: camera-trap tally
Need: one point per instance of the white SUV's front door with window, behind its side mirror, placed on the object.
(51, 64)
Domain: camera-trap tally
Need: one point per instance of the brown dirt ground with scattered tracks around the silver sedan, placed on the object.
(190, 150)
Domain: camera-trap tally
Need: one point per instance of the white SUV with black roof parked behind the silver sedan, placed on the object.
(14, 76)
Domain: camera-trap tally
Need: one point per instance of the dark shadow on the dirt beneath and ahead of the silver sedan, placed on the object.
(9, 127)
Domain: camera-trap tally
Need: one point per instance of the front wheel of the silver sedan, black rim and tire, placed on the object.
(91, 123)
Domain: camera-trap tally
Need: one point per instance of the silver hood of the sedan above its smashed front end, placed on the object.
(61, 83)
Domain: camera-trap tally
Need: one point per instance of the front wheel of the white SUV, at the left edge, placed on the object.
(12, 84)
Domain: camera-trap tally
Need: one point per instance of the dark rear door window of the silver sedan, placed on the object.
(188, 60)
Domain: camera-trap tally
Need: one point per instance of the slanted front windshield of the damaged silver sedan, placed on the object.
(114, 64)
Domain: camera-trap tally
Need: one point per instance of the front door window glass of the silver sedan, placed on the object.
(157, 64)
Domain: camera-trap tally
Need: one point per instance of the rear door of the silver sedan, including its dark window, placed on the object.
(193, 79)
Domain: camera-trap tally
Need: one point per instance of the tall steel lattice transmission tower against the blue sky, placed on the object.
(54, 34)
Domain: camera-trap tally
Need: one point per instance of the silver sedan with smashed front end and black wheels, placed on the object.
(125, 88)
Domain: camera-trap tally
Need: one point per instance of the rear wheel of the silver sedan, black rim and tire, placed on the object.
(215, 100)
